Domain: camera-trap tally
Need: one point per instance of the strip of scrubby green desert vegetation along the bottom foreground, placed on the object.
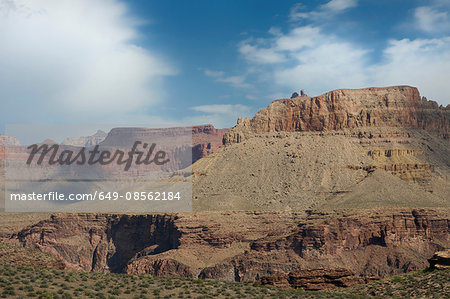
(30, 282)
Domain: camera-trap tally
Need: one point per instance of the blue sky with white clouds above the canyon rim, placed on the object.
(196, 62)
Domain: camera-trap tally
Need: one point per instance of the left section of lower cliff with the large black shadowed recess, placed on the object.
(101, 243)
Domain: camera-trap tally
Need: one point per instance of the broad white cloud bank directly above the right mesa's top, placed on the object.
(319, 62)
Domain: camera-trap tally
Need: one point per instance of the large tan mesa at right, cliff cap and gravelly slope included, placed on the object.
(362, 148)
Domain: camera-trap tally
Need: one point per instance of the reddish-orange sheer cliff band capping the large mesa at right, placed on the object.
(397, 106)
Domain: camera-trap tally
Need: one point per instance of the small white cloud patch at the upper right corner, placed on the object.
(431, 19)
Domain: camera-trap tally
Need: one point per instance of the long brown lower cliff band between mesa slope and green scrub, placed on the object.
(244, 246)
